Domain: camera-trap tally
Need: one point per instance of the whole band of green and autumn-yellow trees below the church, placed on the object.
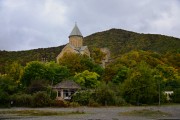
(137, 77)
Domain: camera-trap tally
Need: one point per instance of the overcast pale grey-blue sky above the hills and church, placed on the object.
(31, 24)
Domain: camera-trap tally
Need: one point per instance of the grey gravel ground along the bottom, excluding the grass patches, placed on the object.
(102, 113)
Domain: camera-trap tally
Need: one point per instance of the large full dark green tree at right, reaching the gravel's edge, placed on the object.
(140, 86)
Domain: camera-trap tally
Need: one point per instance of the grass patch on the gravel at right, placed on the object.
(145, 112)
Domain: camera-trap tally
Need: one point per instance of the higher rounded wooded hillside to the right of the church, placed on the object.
(121, 41)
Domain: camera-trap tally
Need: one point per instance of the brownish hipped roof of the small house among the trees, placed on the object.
(67, 84)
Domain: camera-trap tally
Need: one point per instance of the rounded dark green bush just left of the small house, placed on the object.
(41, 99)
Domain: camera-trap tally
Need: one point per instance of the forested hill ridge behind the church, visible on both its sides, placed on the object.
(117, 40)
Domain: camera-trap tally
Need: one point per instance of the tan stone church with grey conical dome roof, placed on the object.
(75, 44)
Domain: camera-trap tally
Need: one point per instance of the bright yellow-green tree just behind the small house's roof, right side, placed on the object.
(87, 79)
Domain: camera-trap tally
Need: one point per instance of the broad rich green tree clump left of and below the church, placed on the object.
(49, 72)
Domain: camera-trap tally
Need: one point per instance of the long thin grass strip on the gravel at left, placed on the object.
(40, 113)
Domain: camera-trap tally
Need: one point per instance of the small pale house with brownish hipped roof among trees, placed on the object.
(66, 89)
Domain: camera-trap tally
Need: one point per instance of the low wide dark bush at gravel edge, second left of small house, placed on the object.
(22, 100)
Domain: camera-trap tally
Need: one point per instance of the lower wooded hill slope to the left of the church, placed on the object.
(41, 54)
